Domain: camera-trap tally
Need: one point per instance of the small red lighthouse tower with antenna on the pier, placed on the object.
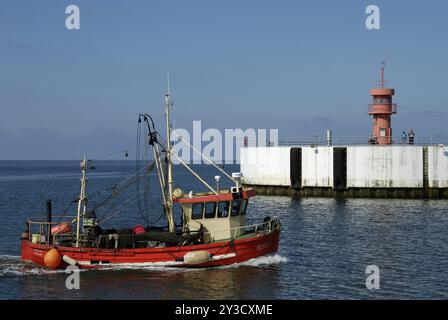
(382, 109)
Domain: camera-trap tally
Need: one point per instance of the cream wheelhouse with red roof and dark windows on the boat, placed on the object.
(219, 216)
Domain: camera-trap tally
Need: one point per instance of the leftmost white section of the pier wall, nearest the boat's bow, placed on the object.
(266, 165)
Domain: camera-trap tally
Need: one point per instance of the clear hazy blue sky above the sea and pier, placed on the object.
(299, 66)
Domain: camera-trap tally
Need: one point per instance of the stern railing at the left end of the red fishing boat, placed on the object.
(44, 234)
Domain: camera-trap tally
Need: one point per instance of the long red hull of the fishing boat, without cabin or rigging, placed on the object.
(222, 253)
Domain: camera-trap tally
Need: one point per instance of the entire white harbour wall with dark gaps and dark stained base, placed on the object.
(350, 171)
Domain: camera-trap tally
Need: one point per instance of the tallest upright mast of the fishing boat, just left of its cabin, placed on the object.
(169, 198)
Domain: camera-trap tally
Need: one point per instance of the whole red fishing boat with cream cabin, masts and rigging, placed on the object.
(212, 233)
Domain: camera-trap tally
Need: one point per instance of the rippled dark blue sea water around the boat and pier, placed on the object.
(325, 246)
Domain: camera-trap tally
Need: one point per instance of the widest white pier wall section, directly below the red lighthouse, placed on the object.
(385, 167)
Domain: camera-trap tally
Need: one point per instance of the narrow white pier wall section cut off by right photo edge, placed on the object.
(438, 167)
